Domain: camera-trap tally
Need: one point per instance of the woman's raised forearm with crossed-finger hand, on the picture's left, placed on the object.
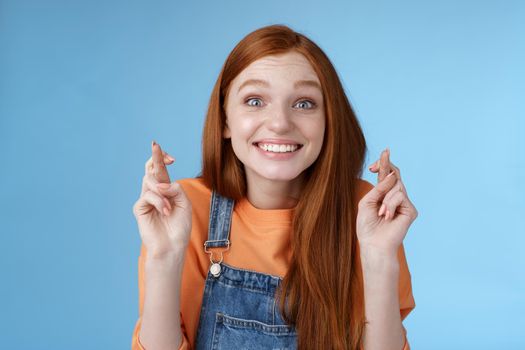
(165, 232)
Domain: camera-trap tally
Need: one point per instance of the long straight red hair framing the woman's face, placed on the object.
(322, 292)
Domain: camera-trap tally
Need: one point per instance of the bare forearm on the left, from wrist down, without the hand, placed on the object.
(159, 324)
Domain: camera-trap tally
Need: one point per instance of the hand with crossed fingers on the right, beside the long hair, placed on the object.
(385, 212)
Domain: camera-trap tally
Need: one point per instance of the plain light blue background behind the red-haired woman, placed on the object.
(85, 86)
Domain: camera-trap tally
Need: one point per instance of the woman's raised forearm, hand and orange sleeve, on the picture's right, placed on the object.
(384, 216)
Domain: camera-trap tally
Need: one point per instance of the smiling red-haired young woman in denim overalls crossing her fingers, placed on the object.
(278, 243)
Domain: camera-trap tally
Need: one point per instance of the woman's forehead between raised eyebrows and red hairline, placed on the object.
(291, 66)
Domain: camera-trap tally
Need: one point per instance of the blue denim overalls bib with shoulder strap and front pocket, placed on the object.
(239, 309)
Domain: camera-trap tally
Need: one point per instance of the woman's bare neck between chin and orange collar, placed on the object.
(273, 194)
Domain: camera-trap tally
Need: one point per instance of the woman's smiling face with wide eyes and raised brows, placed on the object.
(275, 117)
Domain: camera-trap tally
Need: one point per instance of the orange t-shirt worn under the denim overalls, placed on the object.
(259, 241)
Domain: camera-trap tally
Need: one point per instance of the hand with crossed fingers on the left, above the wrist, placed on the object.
(163, 214)
